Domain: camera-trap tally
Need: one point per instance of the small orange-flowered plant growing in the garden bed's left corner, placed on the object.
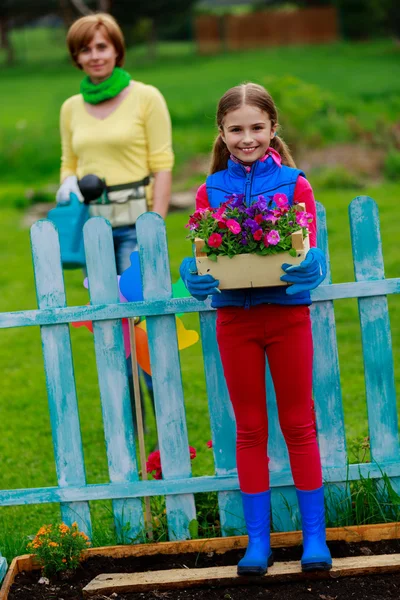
(59, 548)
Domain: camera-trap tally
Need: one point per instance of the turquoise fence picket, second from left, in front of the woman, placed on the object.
(113, 379)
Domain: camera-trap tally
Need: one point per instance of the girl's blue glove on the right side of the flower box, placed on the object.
(307, 275)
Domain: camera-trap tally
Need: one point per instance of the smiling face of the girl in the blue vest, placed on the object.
(247, 132)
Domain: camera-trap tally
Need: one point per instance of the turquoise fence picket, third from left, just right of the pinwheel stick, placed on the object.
(166, 373)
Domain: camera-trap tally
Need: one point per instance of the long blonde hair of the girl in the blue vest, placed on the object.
(252, 95)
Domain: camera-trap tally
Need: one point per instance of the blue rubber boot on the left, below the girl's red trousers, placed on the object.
(258, 557)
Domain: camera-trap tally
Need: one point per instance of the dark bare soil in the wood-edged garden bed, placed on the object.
(373, 587)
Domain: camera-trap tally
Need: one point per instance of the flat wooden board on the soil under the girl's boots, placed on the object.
(108, 583)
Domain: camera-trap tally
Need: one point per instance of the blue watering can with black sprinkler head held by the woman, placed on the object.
(70, 218)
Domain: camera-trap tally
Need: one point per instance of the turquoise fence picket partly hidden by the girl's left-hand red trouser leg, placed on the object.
(223, 428)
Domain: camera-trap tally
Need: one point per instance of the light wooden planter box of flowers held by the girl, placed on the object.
(250, 270)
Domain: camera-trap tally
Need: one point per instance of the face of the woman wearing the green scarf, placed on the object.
(98, 58)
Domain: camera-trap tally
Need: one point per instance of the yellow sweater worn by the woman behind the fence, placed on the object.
(132, 142)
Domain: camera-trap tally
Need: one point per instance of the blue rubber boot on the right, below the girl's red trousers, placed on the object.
(316, 555)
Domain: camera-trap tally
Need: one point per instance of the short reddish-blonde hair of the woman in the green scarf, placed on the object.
(82, 31)
